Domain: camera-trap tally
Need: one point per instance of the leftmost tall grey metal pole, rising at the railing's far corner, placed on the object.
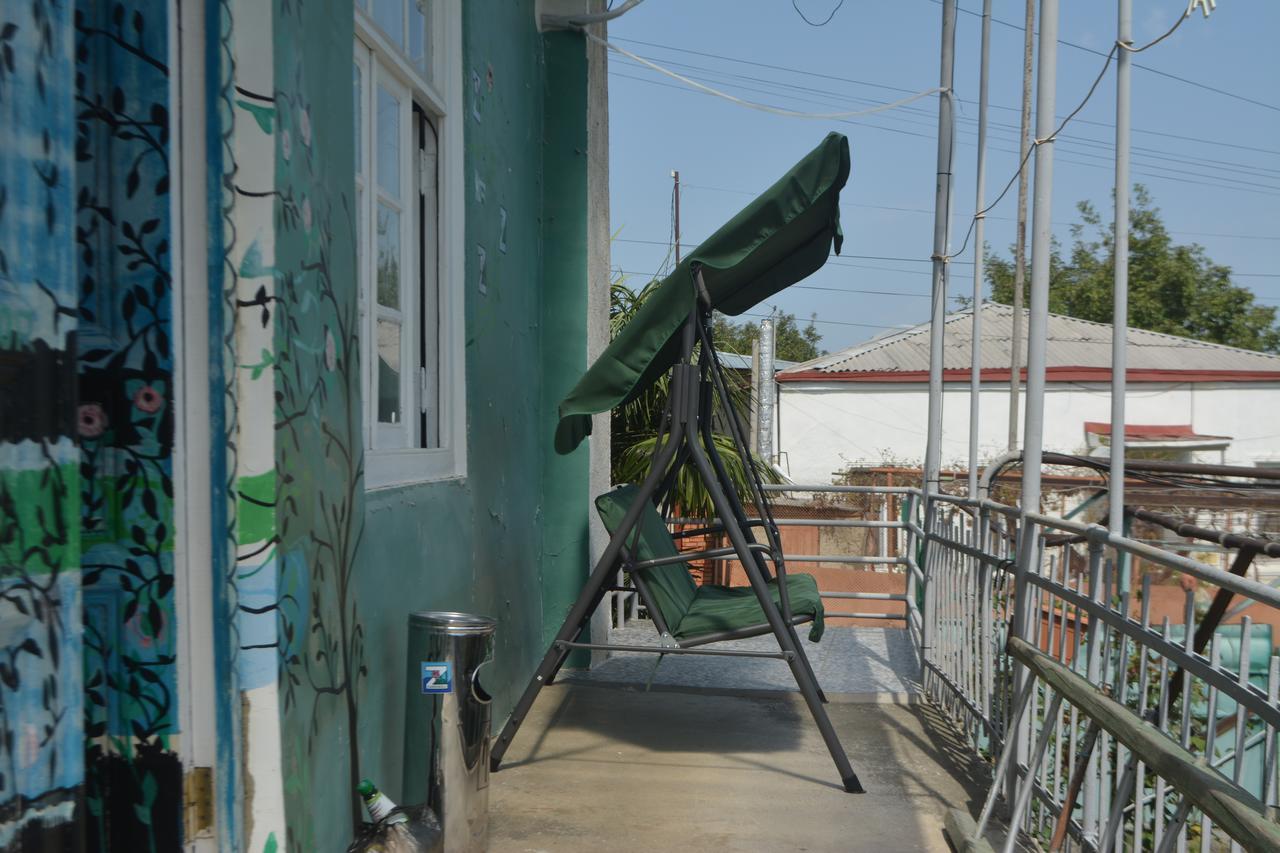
(941, 234)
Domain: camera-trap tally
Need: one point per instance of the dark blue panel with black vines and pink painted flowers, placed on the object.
(126, 427)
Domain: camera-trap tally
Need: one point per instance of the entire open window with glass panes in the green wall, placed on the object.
(412, 340)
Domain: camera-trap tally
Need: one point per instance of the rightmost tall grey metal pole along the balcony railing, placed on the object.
(1121, 288)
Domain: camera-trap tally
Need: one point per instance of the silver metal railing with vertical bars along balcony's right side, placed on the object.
(1075, 605)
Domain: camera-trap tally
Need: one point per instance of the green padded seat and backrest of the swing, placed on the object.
(689, 610)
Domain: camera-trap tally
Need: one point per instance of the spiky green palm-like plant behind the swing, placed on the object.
(634, 427)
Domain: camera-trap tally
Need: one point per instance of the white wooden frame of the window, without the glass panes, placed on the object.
(441, 98)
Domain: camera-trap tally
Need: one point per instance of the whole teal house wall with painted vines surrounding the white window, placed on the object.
(327, 573)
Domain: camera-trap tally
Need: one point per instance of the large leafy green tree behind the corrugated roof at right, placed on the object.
(1173, 289)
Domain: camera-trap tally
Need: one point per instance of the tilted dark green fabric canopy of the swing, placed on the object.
(780, 239)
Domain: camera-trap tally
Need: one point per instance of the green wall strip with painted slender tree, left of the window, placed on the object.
(319, 445)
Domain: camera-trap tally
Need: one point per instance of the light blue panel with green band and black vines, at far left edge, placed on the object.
(42, 704)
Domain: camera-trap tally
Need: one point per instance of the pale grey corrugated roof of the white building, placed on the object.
(1072, 344)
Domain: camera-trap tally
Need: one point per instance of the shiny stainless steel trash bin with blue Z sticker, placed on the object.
(447, 724)
